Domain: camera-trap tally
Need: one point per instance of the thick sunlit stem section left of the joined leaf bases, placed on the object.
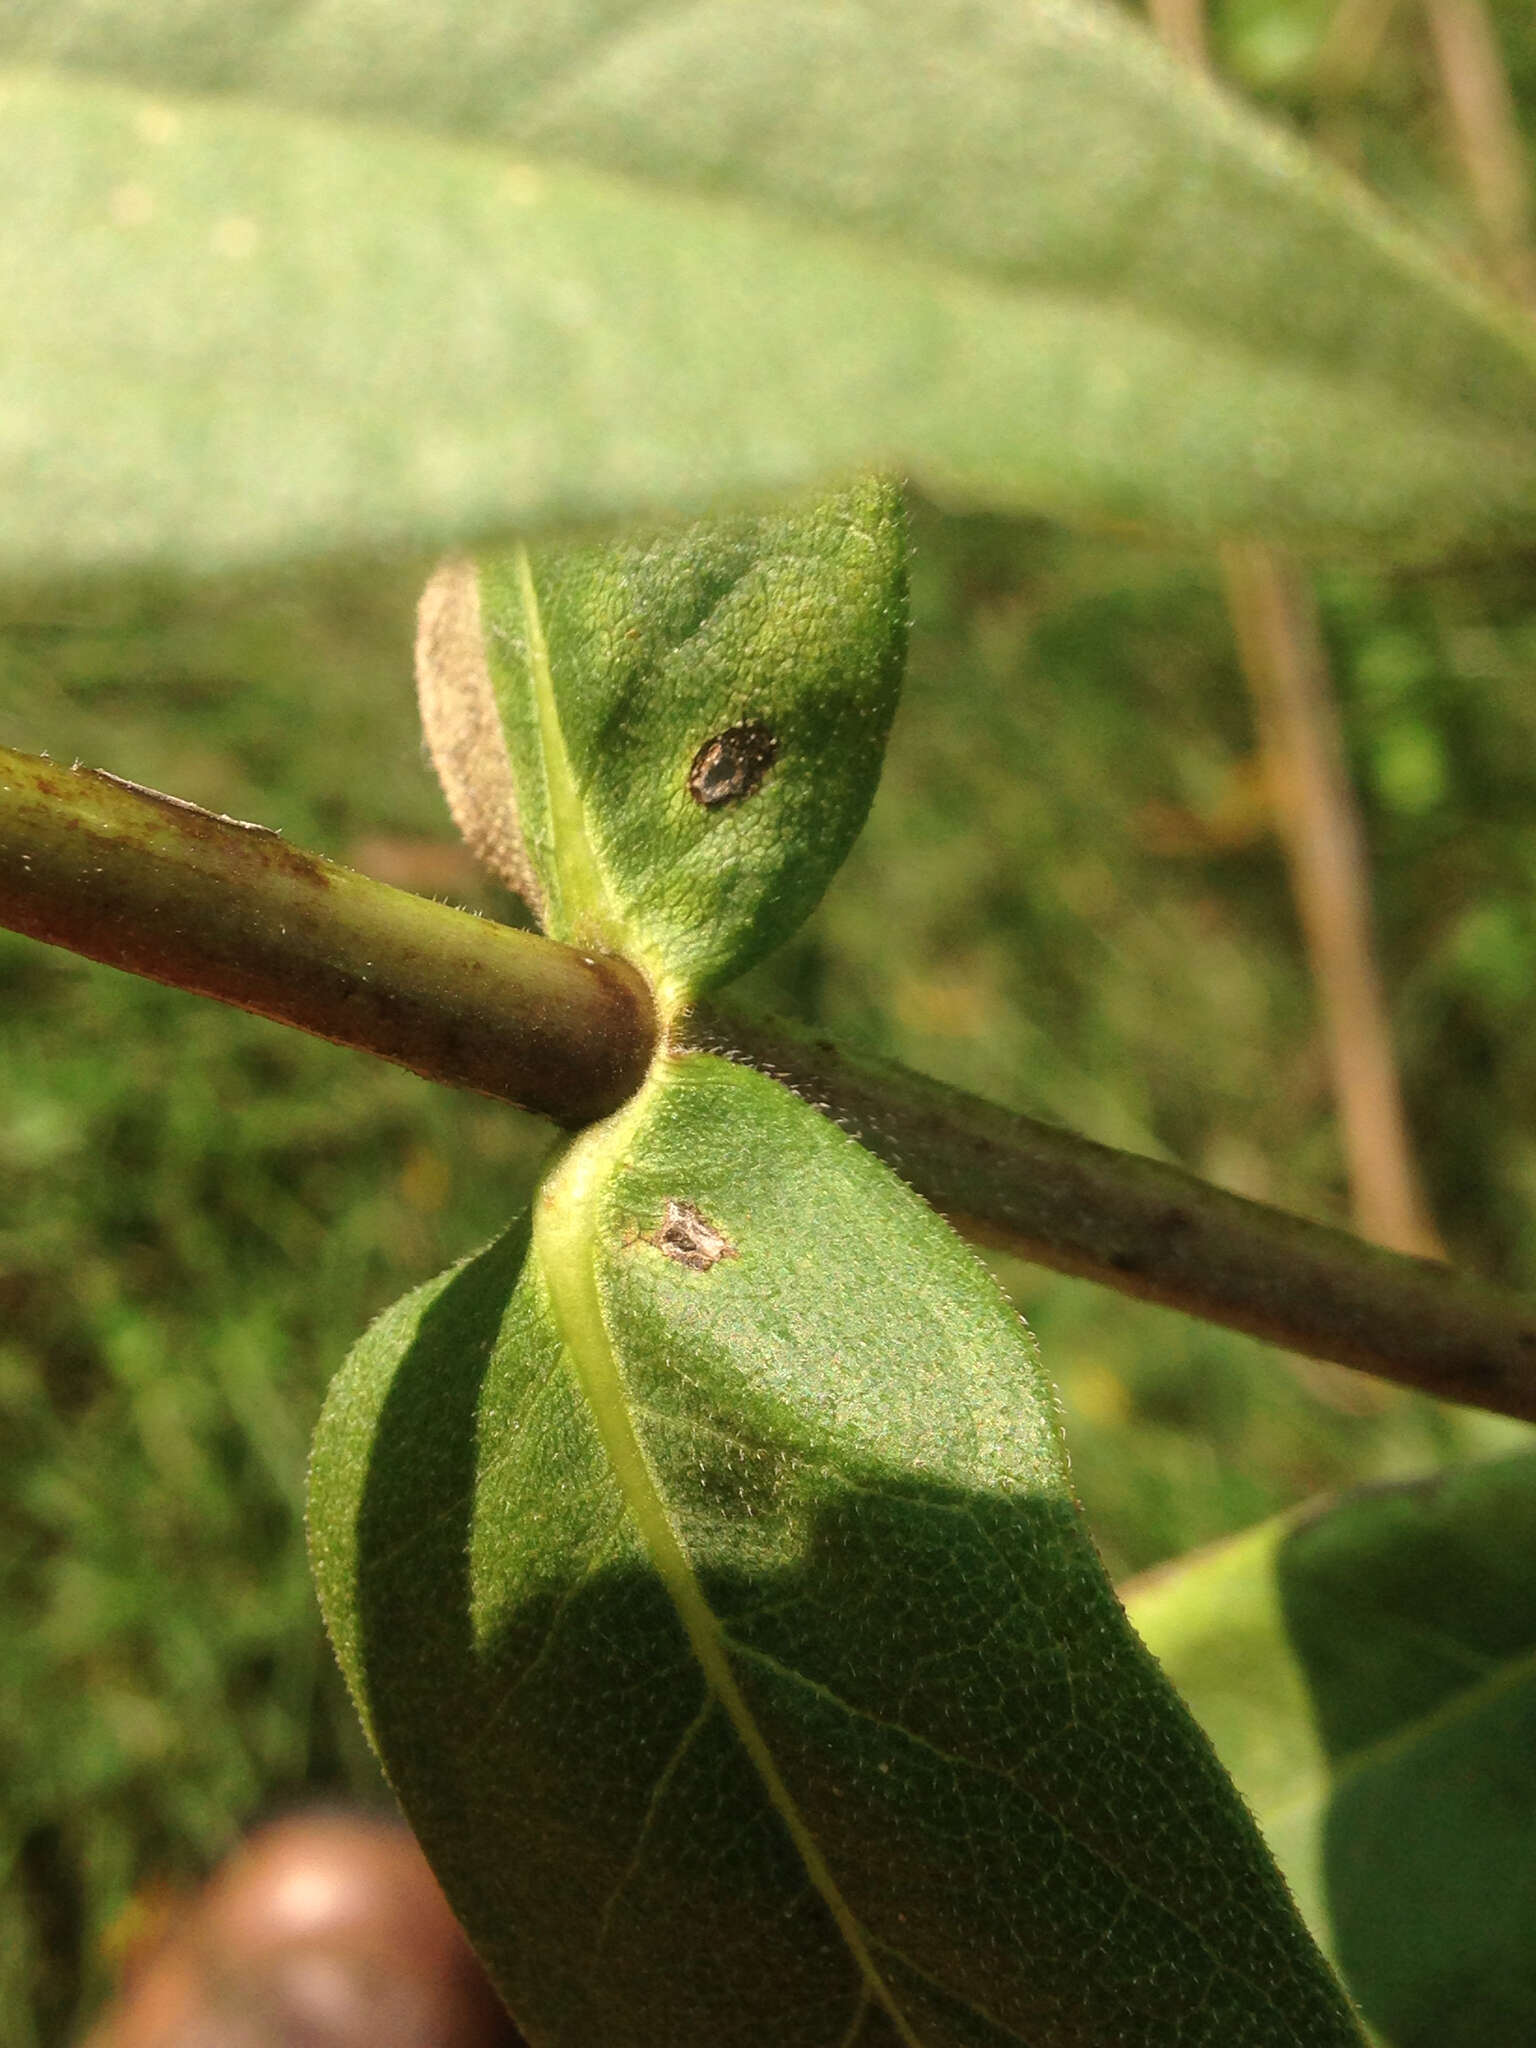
(228, 910)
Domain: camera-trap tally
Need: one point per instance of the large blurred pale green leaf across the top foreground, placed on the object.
(376, 273)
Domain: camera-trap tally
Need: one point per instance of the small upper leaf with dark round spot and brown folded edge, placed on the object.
(683, 734)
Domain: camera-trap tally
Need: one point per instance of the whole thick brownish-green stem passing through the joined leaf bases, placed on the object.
(230, 910)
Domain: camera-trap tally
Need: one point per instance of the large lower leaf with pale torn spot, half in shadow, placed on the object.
(706, 1566)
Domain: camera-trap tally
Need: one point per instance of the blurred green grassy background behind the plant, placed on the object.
(1070, 900)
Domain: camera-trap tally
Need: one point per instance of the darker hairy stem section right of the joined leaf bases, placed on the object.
(1162, 1234)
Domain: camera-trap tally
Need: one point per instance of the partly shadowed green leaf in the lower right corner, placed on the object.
(1369, 1678)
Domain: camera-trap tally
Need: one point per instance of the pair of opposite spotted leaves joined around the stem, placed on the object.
(701, 1555)
